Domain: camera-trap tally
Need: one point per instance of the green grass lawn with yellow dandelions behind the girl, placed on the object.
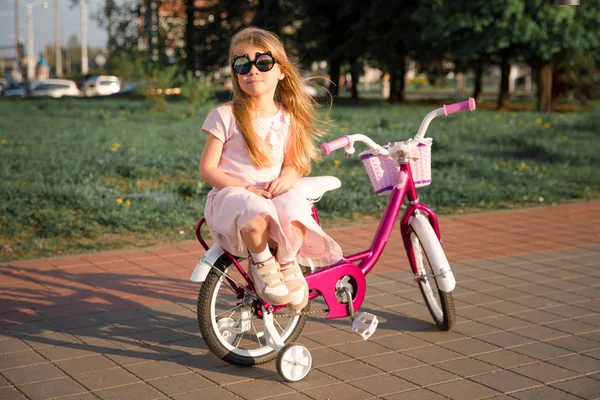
(84, 175)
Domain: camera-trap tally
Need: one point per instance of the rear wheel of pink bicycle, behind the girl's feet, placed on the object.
(229, 323)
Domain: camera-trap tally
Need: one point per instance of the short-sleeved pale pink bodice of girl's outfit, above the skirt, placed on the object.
(235, 159)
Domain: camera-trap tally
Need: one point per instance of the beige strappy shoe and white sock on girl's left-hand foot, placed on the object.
(268, 282)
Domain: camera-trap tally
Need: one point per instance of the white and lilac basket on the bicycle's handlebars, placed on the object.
(383, 170)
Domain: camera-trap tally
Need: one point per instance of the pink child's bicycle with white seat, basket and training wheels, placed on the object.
(243, 329)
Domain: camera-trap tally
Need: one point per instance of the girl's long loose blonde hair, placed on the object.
(290, 92)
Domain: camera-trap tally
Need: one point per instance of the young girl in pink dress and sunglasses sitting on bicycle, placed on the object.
(258, 146)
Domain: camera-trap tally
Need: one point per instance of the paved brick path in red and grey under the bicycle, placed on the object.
(122, 325)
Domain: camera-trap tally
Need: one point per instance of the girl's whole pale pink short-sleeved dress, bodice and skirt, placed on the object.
(231, 208)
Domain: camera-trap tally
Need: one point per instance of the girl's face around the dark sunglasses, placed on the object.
(255, 83)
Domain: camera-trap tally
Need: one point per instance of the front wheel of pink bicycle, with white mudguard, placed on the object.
(440, 304)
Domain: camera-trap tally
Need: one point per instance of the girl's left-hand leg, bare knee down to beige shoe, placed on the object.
(264, 269)
